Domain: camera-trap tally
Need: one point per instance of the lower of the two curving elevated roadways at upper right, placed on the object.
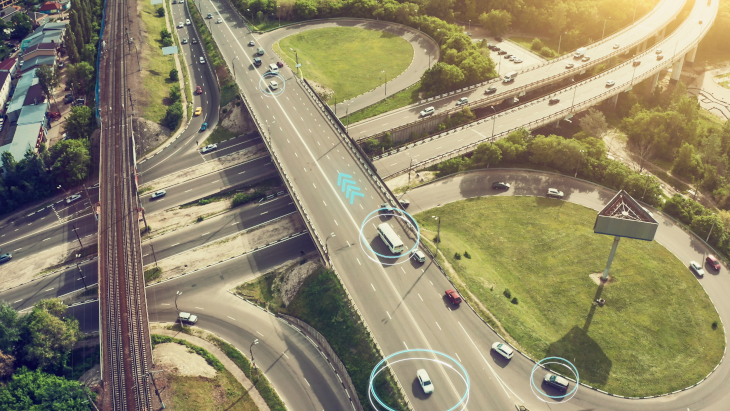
(681, 45)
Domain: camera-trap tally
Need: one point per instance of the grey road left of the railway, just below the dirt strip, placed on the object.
(52, 286)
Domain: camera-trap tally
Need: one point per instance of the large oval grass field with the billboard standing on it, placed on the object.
(653, 336)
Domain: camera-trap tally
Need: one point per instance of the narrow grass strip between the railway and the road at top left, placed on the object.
(156, 67)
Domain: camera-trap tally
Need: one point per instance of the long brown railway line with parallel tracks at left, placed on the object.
(126, 347)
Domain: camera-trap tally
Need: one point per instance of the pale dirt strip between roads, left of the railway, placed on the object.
(20, 271)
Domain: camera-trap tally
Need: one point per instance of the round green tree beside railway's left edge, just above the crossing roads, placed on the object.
(71, 162)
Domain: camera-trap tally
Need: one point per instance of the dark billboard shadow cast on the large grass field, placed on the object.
(585, 353)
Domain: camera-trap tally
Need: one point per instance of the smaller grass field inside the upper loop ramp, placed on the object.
(348, 60)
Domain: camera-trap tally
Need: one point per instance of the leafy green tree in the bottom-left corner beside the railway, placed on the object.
(36, 390)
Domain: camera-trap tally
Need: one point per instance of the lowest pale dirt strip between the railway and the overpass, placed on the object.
(230, 247)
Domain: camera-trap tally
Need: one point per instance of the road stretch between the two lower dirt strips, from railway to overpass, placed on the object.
(215, 228)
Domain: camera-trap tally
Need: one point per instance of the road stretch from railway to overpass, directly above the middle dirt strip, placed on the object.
(192, 190)
